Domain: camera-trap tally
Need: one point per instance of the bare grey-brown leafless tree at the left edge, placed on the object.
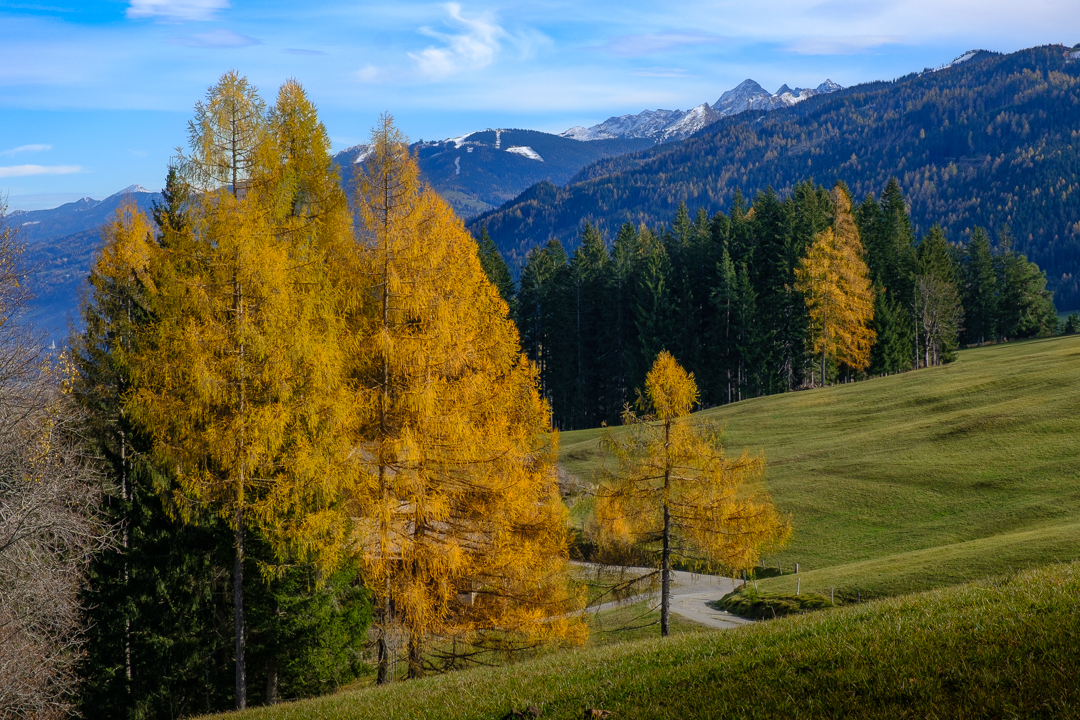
(49, 520)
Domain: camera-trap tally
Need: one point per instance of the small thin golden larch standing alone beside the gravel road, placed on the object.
(674, 492)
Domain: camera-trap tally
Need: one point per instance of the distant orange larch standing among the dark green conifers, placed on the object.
(835, 283)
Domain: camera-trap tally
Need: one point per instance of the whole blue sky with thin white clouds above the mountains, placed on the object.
(96, 96)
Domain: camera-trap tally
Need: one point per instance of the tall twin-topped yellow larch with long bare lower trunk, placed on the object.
(240, 375)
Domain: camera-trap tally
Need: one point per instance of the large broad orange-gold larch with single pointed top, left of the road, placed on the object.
(464, 533)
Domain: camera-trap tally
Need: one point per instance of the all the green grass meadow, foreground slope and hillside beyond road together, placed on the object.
(947, 500)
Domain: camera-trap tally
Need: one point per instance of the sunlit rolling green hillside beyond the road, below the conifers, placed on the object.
(916, 481)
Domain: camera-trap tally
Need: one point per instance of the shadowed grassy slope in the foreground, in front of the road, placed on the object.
(992, 649)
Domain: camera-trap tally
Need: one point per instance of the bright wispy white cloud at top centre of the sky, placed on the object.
(474, 49)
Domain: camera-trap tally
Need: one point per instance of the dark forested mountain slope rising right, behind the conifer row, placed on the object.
(990, 142)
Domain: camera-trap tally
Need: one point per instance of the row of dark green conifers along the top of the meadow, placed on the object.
(722, 294)
